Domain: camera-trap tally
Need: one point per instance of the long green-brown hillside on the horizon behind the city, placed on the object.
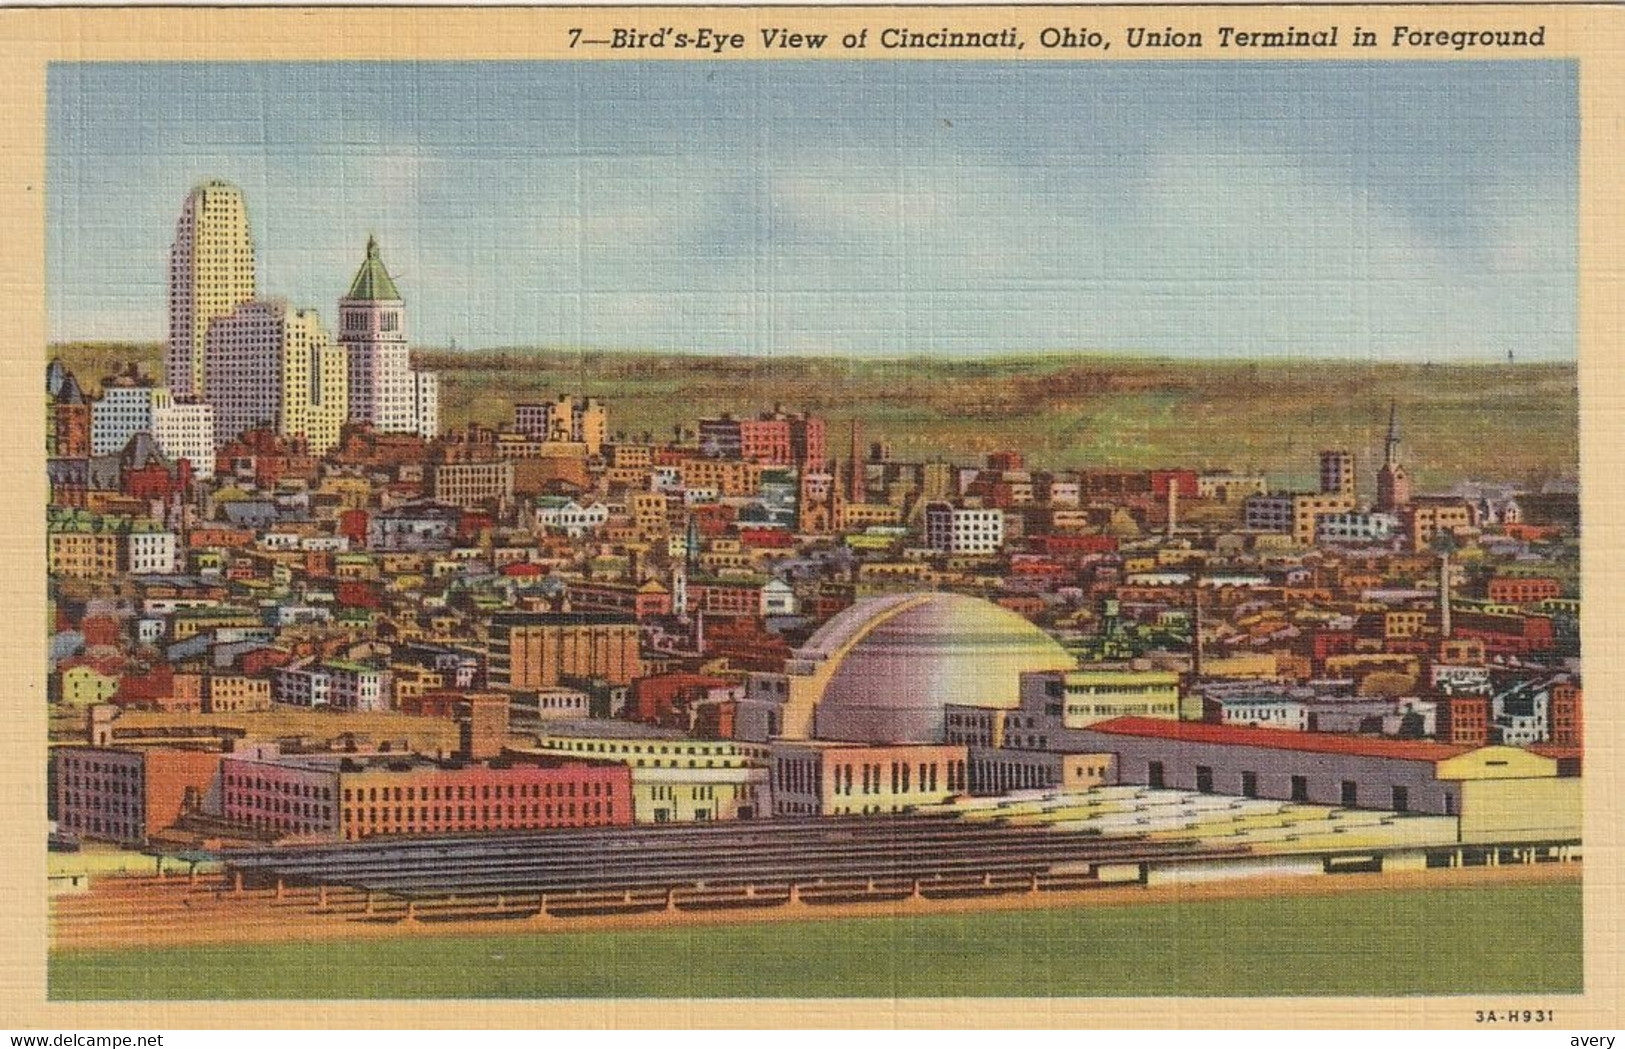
(1064, 410)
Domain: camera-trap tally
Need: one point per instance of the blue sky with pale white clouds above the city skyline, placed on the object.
(1393, 212)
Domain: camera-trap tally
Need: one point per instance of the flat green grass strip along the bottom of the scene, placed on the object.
(1522, 939)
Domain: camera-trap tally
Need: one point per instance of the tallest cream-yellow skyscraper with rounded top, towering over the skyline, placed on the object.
(210, 274)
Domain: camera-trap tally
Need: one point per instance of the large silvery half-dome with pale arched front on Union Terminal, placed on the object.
(890, 665)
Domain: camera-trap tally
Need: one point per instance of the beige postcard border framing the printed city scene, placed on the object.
(33, 38)
